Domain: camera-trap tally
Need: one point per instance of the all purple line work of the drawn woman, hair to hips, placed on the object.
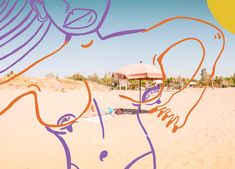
(78, 20)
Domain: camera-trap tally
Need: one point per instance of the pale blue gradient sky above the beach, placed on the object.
(106, 56)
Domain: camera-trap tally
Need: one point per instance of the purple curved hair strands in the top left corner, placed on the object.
(23, 20)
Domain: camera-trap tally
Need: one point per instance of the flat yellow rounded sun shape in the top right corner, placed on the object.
(224, 13)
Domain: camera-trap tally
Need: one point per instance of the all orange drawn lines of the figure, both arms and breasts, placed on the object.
(160, 58)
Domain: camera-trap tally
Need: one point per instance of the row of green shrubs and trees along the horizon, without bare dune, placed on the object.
(171, 82)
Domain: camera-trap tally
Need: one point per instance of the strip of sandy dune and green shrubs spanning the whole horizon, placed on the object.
(112, 83)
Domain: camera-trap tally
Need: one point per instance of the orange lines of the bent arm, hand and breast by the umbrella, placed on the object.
(165, 110)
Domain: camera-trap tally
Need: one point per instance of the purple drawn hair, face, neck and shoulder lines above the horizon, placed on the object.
(76, 21)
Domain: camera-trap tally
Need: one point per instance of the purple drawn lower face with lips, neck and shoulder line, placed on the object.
(79, 20)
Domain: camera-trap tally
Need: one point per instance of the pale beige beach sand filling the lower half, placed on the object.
(207, 141)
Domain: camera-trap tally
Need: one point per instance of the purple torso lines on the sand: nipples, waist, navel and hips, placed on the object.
(104, 153)
